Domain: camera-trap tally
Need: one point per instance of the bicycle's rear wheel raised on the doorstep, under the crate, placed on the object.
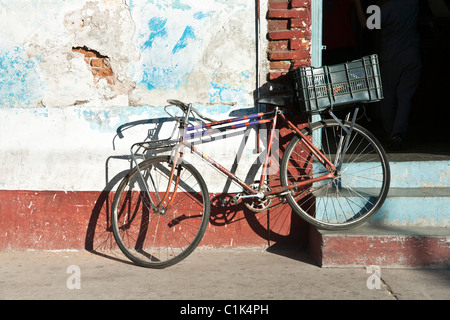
(359, 188)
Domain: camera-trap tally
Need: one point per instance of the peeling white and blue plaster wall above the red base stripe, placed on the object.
(72, 71)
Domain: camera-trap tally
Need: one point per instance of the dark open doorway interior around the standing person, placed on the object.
(428, 130)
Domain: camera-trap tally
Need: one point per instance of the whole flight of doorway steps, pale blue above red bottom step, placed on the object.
(411, 229)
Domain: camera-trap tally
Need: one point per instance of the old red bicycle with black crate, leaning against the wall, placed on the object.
(334, 173)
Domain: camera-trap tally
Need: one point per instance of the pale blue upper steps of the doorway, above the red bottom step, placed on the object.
(419, 193)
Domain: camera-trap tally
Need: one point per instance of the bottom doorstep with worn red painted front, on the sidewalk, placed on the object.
(384, 246)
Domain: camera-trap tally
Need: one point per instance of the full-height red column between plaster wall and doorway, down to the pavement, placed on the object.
(289, 43)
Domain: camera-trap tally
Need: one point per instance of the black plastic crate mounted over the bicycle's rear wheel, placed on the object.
(358, 81)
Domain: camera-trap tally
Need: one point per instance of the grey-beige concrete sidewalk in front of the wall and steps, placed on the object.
(238, 274)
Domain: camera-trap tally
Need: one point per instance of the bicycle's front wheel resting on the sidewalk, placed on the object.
(154, 230)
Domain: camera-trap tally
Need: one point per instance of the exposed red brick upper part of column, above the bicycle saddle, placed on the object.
(289, 35)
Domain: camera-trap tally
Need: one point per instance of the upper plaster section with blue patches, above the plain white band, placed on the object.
(200, 51)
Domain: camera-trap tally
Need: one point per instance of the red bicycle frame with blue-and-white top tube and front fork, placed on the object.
(188, 132)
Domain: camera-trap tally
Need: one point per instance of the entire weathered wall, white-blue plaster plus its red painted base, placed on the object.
(73, 71)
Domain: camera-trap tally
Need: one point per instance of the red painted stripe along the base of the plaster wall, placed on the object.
(58, 220)
